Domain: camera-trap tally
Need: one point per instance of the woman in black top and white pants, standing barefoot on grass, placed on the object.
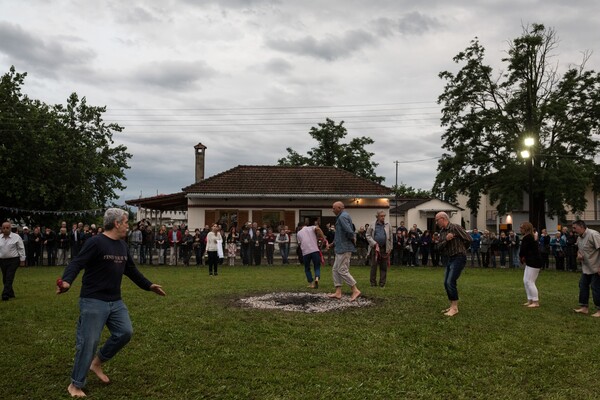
(530, 256)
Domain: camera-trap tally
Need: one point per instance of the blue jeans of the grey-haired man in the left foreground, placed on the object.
(93, 315)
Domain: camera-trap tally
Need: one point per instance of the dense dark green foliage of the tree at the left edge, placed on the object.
(57, 157)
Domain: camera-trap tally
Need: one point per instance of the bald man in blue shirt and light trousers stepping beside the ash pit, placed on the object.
(344, 244)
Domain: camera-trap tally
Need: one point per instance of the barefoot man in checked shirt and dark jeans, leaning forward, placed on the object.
(454, 242)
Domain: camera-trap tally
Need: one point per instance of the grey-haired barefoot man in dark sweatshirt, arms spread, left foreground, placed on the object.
(105, 259)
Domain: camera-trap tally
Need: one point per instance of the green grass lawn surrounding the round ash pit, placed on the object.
(197, 344)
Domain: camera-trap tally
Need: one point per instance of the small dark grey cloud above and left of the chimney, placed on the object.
(174, 75)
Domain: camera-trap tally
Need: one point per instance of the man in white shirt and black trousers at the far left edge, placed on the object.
(12, 254)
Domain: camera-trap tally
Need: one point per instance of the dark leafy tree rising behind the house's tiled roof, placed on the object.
(330, 152)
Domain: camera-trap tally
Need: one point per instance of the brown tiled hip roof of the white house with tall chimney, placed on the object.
(280, 180)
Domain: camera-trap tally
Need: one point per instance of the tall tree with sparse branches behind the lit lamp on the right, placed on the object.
(488, 117)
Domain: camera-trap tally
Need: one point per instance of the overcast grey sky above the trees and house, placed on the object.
(250, 78)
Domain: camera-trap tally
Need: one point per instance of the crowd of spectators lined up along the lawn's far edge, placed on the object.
(254, 245)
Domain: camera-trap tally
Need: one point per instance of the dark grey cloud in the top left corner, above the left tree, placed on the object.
(44, 55)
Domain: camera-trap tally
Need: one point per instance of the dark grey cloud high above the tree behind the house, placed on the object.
(330, 48)
